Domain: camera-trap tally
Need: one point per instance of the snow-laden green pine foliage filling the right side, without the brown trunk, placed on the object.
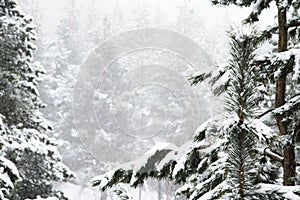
(240, 161)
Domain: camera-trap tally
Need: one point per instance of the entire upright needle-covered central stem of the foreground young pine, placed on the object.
(241, 102)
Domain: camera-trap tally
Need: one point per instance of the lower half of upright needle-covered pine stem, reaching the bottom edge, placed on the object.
(242, 161)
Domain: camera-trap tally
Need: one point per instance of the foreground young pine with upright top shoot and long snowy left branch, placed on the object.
(226, 161)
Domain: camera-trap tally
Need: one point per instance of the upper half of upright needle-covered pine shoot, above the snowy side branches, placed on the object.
(241, 96)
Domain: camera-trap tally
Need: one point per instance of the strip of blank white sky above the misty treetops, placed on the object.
(53, 10)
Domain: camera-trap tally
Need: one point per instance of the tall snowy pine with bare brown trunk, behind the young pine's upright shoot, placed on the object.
(276, 74)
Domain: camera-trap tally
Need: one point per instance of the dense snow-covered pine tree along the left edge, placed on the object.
(24, 142)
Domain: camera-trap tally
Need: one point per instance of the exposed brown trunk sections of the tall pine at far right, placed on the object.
(289, 163)
